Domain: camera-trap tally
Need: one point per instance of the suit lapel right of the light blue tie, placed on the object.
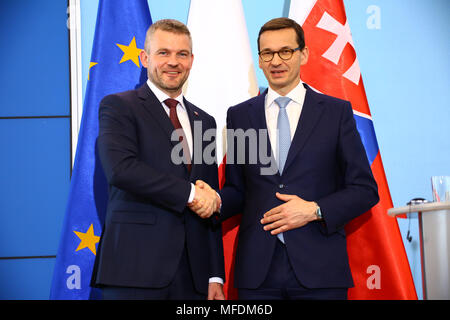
(311, 113)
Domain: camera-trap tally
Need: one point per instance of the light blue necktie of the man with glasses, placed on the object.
(284, 138)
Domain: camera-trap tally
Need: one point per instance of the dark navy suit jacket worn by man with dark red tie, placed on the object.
(147, 223)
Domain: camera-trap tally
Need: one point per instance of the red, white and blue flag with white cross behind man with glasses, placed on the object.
(377, 256)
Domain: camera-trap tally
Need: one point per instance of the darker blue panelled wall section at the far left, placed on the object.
(34, 142)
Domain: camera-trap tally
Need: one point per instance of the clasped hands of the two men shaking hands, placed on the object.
(206, 200)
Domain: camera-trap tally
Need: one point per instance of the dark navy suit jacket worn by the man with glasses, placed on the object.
(327, 164)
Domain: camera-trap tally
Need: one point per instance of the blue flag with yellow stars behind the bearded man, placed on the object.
(115, 66)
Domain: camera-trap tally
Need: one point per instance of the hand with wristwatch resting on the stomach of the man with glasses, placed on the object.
(294, 213)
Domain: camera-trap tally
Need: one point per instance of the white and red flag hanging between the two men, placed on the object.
(222, 75)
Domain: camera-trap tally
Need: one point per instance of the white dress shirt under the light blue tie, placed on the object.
(293, 110)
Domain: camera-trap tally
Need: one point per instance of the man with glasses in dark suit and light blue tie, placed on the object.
(291, 241)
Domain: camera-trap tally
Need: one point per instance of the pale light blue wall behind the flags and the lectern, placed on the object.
(405, 65)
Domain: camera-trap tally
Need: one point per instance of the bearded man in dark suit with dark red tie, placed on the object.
(153, 246)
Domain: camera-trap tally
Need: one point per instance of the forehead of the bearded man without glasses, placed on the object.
(169, 40)
